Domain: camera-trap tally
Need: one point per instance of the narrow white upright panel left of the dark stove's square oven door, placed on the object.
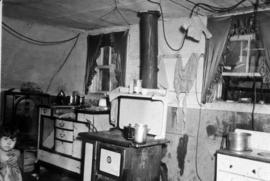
(88, 161)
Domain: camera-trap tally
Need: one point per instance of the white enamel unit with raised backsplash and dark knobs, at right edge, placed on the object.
(251, 165)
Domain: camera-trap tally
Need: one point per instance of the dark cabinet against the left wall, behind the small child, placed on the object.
(21, 109)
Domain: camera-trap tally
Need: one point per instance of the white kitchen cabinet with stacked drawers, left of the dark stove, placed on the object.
(58, 144)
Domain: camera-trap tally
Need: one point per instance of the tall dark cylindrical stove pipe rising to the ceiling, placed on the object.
(149, 48)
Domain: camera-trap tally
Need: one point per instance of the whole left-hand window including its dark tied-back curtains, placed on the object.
(106, 62)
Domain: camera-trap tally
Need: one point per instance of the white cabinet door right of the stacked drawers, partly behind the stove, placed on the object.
(77, 144)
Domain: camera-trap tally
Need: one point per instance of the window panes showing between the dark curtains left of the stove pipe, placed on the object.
(105, 78)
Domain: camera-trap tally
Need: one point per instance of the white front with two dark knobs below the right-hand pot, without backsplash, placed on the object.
(236, 168)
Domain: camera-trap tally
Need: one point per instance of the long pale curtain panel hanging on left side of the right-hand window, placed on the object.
(219, 27)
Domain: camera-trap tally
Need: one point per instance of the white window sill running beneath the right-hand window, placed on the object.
(238, 107)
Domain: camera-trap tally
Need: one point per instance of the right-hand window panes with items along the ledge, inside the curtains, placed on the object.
(242, 79)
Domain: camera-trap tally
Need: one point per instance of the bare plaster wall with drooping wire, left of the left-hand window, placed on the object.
(27, 62)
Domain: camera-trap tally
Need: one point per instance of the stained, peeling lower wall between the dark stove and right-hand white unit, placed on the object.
(203, 130)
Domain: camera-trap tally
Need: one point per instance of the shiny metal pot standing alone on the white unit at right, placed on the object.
(238, 141)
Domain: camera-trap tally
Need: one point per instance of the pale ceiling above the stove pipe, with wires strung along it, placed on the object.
(96, 14)
